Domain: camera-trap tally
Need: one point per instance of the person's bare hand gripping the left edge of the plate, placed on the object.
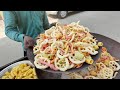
(28, 42)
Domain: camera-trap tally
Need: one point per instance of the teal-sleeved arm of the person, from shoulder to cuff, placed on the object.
(11, 29)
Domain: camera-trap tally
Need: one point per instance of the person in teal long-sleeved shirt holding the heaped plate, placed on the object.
(25, 26)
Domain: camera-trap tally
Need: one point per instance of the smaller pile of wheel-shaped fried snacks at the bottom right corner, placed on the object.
(106, 67)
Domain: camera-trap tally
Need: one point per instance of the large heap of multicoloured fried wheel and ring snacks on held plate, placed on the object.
(62, 41)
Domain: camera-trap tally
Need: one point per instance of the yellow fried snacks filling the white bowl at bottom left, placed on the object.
(21, 71)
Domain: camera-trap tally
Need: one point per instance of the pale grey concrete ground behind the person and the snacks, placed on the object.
(102, 22)
